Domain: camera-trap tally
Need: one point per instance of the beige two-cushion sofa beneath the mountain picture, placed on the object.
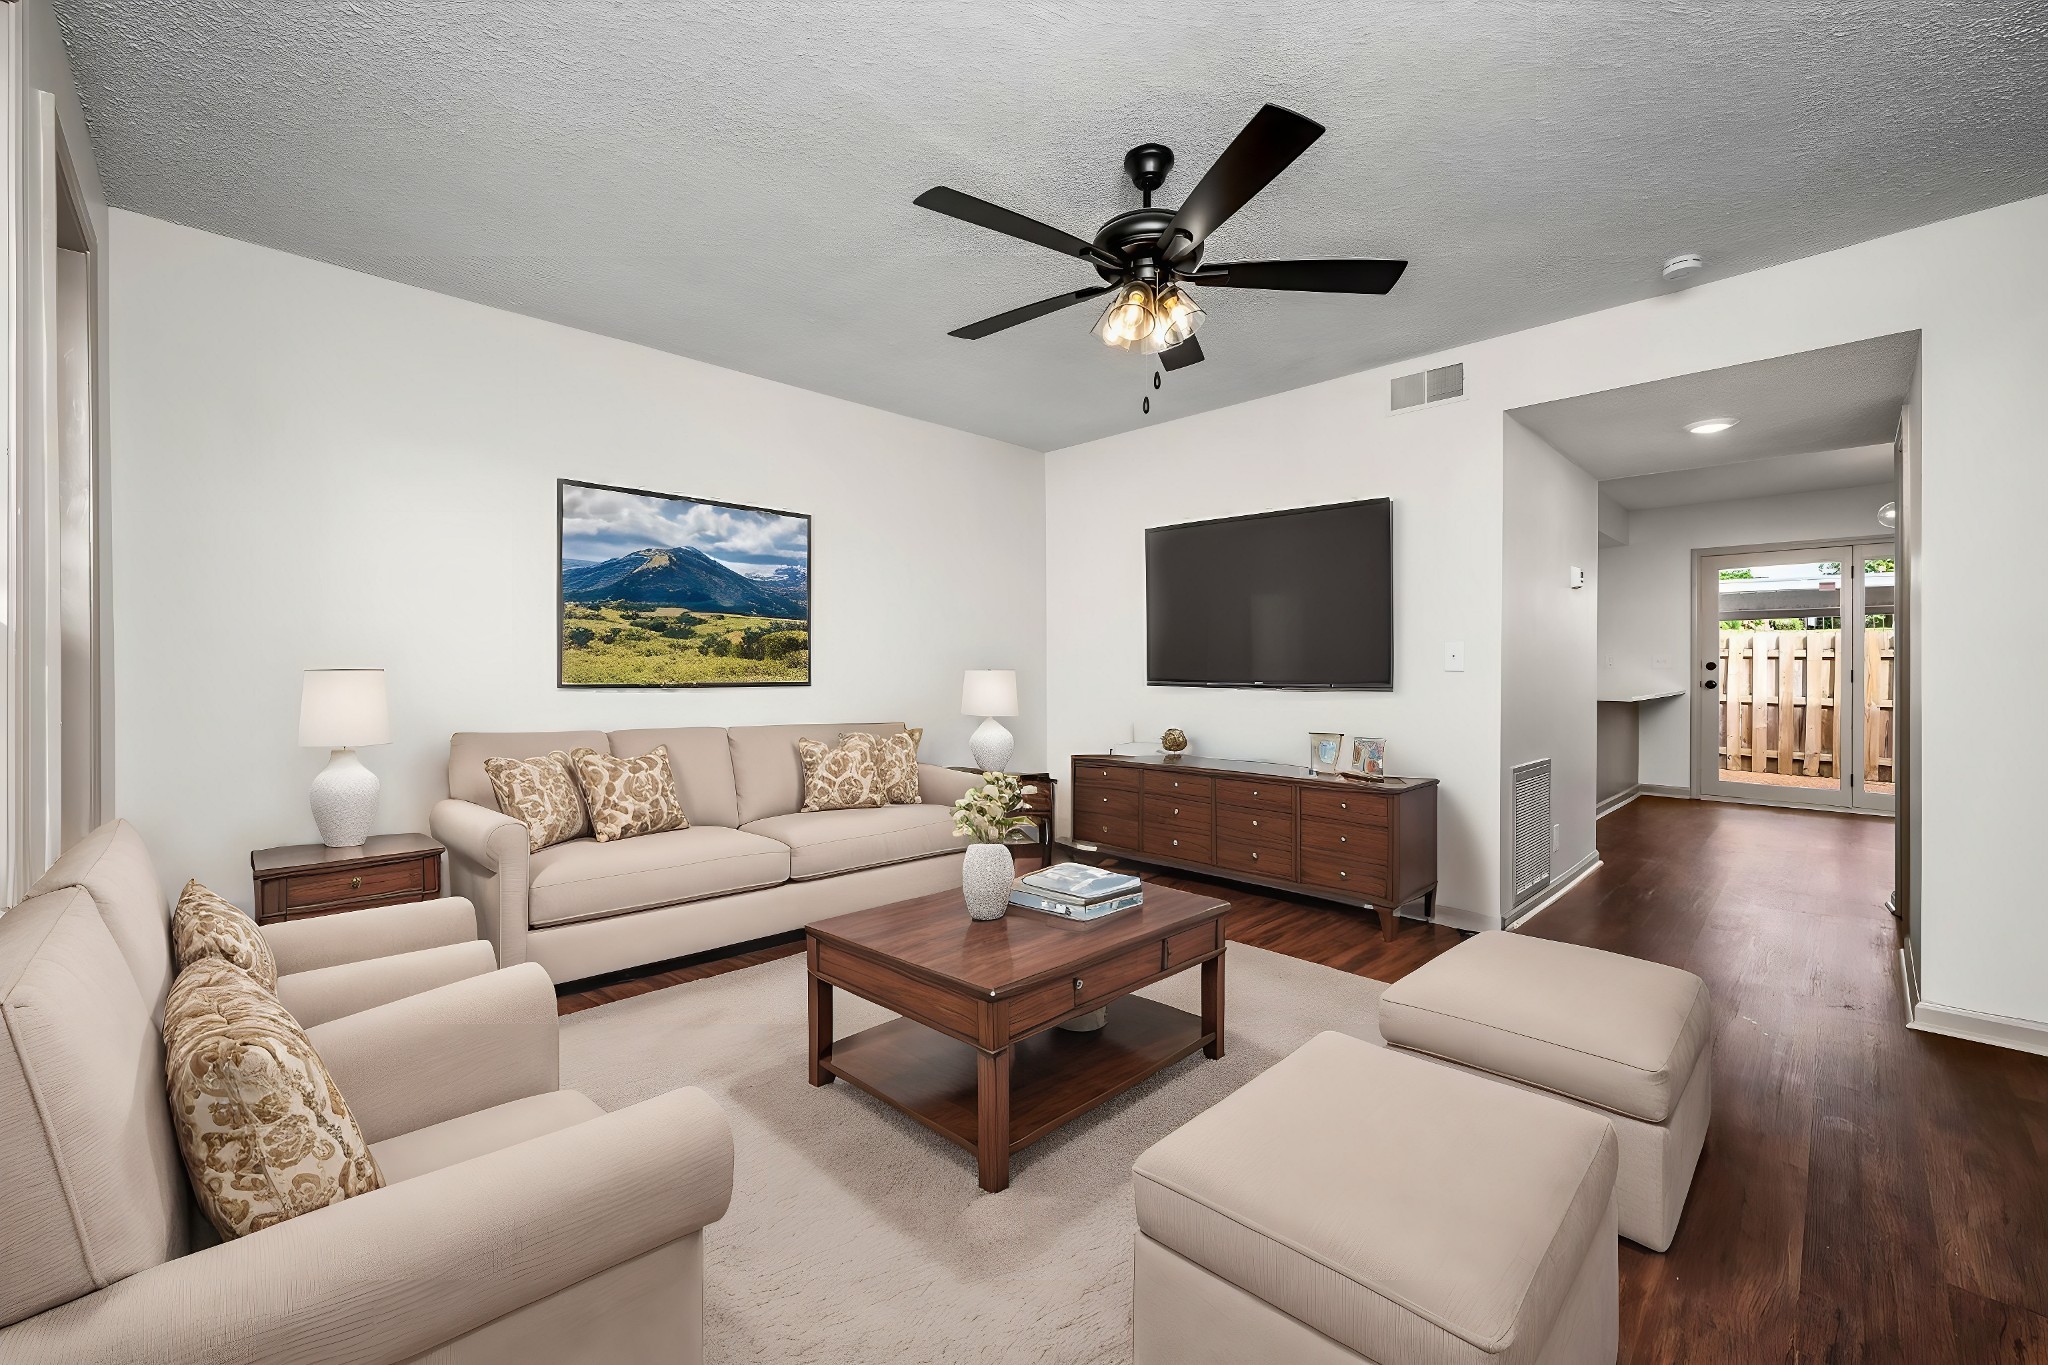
(749, 867)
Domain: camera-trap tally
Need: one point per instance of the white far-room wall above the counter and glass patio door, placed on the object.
(1646, 599)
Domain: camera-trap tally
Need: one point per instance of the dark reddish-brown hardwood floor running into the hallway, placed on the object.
(1869, 1194)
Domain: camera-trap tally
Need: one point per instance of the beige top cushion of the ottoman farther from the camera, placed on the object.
(1611, 1030)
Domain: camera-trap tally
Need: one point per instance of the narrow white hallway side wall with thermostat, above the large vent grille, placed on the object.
(1549, 672)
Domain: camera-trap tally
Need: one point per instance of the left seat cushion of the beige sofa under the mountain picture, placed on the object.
(587, 879)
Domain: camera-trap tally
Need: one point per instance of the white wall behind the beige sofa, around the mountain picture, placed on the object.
(316, 468)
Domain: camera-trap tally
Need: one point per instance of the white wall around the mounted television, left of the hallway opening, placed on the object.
(1322, 445)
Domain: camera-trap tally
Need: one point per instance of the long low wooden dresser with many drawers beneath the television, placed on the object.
(1367, 844)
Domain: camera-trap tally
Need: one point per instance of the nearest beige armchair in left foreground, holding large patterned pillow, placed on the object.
(519, 1221)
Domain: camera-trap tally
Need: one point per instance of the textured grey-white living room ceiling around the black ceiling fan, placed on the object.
(732, 179)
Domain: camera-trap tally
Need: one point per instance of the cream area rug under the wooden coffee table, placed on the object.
(859, 1237)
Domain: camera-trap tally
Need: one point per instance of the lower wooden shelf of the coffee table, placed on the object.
(1054, 1075)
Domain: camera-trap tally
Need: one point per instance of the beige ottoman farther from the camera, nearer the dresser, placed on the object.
(1627, 1039)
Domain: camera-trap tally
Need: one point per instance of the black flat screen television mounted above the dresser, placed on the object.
(1277, 601)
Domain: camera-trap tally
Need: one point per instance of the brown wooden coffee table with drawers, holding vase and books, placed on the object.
(976, 1057)
